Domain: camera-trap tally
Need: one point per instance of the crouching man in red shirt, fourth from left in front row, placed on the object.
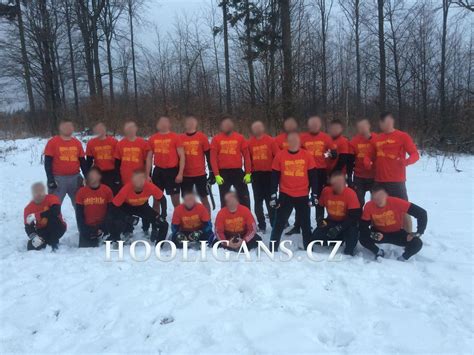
(191, 222)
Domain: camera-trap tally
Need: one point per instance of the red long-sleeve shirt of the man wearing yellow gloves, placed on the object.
(228, 151)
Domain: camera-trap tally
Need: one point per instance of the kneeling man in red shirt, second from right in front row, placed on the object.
(343, 211)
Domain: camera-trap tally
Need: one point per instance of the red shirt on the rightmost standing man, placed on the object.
(388, 153)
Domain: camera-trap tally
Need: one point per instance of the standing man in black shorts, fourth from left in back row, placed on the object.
(168, 160)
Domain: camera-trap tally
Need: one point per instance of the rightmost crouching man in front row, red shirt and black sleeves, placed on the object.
(382, 222)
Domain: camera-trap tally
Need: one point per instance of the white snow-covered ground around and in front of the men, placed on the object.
(73, 301)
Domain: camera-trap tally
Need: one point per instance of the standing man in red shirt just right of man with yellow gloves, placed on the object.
(262, 149)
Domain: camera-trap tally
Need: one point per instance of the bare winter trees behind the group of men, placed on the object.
(264, 59)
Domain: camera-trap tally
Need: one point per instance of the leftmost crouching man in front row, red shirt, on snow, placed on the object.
(44, 224)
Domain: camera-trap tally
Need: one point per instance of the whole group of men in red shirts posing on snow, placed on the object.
(291, 171)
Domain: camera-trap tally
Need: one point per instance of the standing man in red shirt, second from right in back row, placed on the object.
(363, 179)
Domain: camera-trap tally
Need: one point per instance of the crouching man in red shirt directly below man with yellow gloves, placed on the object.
(235, 224)
